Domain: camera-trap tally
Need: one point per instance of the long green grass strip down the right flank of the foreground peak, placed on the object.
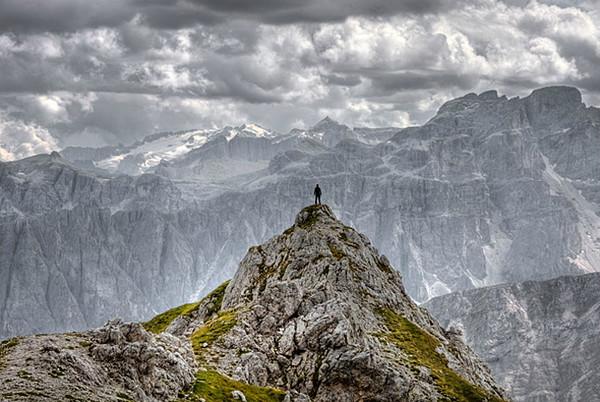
(420, 347)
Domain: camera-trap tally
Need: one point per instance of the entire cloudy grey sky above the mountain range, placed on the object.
(80, 72)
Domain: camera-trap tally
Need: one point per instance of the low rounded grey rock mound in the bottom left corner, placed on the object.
(113, 363)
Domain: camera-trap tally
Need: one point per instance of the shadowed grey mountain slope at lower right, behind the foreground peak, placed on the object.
(538, 338)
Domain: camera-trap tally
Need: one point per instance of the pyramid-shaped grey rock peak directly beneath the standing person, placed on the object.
(315, 310)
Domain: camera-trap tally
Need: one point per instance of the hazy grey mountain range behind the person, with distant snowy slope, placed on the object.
(490, 190)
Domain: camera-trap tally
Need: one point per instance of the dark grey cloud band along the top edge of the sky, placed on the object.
(73, 15)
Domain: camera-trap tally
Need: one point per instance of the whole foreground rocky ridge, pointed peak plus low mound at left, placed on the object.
(314, 314)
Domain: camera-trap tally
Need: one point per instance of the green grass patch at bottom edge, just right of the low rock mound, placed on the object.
(215, 387)
